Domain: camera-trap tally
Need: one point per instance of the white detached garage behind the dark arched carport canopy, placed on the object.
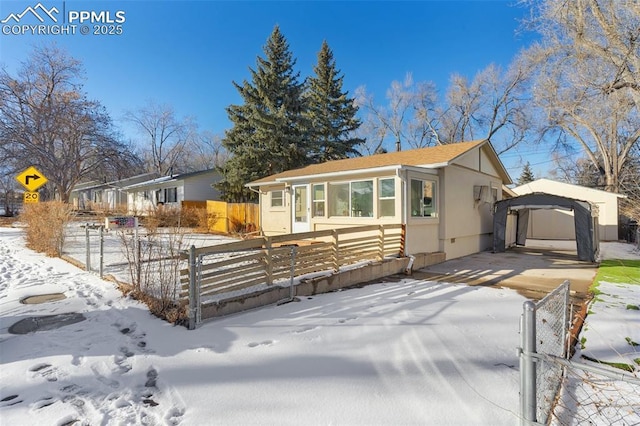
(558, 224)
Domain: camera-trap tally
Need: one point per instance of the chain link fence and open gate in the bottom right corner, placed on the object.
(558, 391)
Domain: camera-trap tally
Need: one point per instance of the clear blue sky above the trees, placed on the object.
(187, 53)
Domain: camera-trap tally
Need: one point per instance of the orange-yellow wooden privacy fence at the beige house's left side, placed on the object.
(233, 217)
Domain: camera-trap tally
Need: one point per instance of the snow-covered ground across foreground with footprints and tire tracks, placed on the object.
(408, 352)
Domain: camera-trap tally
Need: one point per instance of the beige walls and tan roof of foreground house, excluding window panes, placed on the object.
(462, 225)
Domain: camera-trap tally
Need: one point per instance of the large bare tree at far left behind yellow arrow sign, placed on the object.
(47, 121)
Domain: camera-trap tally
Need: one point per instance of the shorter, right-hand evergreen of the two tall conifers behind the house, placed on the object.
(331, 114)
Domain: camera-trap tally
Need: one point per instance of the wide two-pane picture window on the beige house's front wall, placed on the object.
(353, 199)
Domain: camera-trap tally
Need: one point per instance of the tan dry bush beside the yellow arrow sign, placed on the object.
(46, 225)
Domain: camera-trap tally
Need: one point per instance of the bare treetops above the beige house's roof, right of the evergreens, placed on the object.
(492, 106)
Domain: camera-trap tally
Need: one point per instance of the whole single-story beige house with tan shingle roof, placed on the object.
(444, 195)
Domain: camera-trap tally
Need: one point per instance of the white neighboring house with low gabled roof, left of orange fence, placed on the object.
(171, 191)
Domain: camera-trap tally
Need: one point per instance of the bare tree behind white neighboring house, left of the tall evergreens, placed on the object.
(165, 137)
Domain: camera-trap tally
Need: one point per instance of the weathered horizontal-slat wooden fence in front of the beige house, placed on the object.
(264, 261)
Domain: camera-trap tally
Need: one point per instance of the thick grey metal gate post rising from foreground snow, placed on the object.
(527, 365)
